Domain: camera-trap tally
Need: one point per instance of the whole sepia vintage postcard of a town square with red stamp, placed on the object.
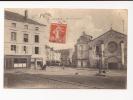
(52, 48)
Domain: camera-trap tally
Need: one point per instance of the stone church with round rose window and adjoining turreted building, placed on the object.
(110, 49)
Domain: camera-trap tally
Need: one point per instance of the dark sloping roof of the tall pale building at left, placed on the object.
(20, 18)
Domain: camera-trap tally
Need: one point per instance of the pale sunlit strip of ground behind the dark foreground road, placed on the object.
(67, 71)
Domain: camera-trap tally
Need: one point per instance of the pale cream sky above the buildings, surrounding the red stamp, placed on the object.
(93, 21)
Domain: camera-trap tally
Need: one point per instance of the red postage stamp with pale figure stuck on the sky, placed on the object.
(58, 33)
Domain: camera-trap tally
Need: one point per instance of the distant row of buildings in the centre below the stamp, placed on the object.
(61, 57)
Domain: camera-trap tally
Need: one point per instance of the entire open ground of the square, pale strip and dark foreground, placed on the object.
(67, 78)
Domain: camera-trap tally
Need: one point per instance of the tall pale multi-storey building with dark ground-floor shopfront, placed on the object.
(24, 43)
